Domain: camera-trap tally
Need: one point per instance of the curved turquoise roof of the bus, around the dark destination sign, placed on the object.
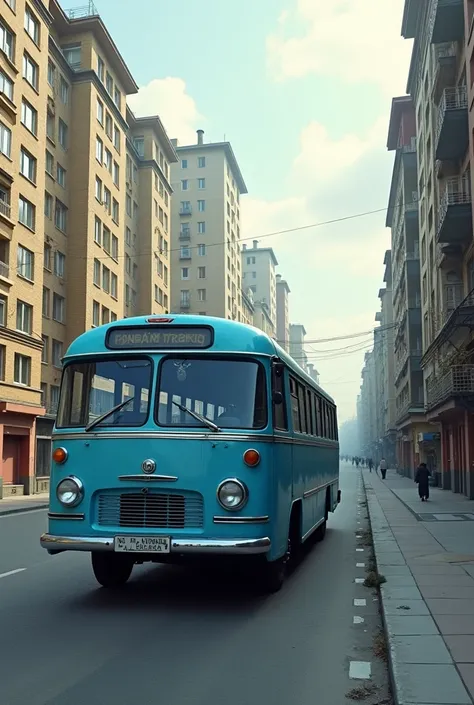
(229, 336)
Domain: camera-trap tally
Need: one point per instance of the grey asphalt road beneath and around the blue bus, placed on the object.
(177, 637)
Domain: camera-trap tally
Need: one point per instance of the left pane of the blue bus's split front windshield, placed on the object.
(91, 389)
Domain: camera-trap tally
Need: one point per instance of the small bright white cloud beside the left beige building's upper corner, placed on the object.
(167, 97)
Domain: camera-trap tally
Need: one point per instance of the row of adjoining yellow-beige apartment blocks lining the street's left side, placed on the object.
(85, 199)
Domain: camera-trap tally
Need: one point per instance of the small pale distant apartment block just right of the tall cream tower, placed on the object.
(258, 273)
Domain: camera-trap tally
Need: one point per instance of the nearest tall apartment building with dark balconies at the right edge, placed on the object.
(440, 83)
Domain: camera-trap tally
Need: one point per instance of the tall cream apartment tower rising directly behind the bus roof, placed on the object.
(206, 252)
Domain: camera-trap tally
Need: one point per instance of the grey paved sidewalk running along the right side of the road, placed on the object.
(426, 553)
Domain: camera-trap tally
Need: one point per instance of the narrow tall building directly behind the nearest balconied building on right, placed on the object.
(403, 219)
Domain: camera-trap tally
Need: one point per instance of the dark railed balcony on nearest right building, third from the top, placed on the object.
(455, 212)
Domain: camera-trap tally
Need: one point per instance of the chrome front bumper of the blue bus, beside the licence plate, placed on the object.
(217, 546)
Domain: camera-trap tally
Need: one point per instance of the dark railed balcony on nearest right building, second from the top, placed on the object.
(452, 128)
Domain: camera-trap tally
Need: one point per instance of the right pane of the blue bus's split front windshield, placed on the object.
(230, 393)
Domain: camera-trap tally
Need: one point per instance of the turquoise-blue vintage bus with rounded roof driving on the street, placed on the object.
(189, 435)
